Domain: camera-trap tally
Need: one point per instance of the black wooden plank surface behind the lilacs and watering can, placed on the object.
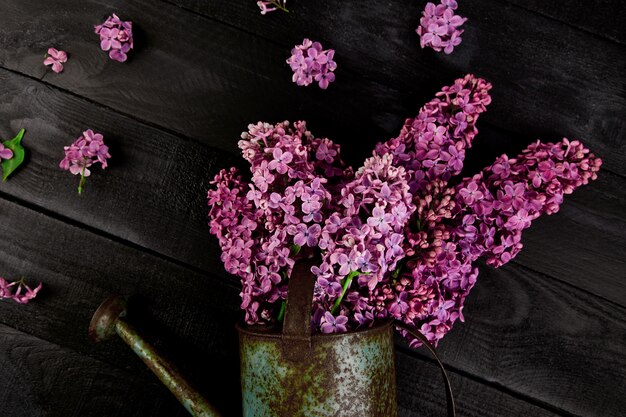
(544, 335)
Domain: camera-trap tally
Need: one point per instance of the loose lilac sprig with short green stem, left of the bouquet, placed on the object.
(87, 150)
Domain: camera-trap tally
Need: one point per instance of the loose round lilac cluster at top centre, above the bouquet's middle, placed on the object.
(310, 62)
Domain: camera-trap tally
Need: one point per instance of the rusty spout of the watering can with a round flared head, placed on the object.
(108, 320)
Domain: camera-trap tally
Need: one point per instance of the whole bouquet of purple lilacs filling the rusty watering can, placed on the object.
(395, 239)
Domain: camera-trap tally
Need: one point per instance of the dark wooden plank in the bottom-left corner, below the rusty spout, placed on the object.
(43, 379)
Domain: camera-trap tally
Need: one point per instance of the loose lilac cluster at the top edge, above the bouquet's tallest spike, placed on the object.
(439, 26)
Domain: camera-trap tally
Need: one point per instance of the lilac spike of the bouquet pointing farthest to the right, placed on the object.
(497, 204)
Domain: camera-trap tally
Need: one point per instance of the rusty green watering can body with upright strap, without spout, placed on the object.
(289, 372)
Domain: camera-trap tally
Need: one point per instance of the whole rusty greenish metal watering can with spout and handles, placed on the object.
(289, 373)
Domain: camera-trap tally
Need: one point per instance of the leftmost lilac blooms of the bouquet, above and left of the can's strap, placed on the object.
(263, 223)
